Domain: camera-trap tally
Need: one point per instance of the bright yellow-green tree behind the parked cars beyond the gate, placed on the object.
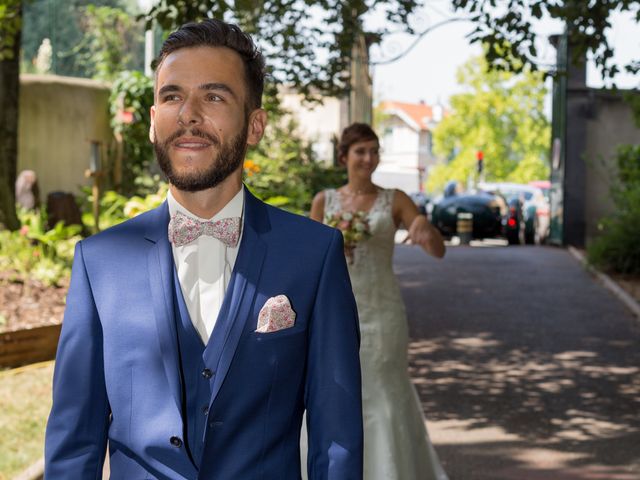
(500, 114)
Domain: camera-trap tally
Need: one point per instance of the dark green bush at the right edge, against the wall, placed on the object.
(617, 248)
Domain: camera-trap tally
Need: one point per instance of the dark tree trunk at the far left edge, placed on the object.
(9, 95)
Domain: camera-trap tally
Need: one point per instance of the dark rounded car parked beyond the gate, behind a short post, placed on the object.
(489, 212)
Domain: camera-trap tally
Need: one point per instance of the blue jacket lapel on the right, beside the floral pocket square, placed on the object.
(242, 287)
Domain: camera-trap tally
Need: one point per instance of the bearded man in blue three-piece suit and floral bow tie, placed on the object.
(196, 334)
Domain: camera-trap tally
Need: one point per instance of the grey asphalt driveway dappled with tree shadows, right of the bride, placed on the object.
(526, 366)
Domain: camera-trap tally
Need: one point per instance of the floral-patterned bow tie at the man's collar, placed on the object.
(184, 229)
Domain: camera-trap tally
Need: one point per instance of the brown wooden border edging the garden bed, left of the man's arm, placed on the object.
(32, 345)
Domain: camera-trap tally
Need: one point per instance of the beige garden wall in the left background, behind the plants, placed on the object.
(59, 118)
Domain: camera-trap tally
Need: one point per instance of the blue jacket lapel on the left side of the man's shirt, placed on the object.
(160, 265)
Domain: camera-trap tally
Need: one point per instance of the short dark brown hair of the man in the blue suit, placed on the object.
(216, 33)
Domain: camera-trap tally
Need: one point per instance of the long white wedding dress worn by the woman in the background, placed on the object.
(396, 443)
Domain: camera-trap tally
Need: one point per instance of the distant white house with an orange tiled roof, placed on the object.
(407, 145)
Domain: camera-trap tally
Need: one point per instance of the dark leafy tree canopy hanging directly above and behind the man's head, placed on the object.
(308, 43)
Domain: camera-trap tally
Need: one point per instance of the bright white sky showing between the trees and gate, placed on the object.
(427, 72)
